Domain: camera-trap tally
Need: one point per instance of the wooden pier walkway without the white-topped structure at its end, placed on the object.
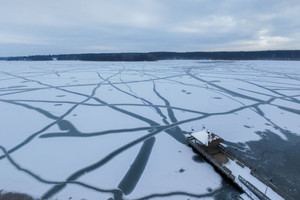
(219, 157)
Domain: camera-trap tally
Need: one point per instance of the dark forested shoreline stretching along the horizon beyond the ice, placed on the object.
(154, 56)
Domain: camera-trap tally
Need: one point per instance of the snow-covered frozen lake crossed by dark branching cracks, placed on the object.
(116, 130)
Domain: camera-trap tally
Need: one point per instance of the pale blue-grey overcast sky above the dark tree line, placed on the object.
(30, 27)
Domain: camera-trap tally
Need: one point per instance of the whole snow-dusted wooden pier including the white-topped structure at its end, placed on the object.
(243, 175)
